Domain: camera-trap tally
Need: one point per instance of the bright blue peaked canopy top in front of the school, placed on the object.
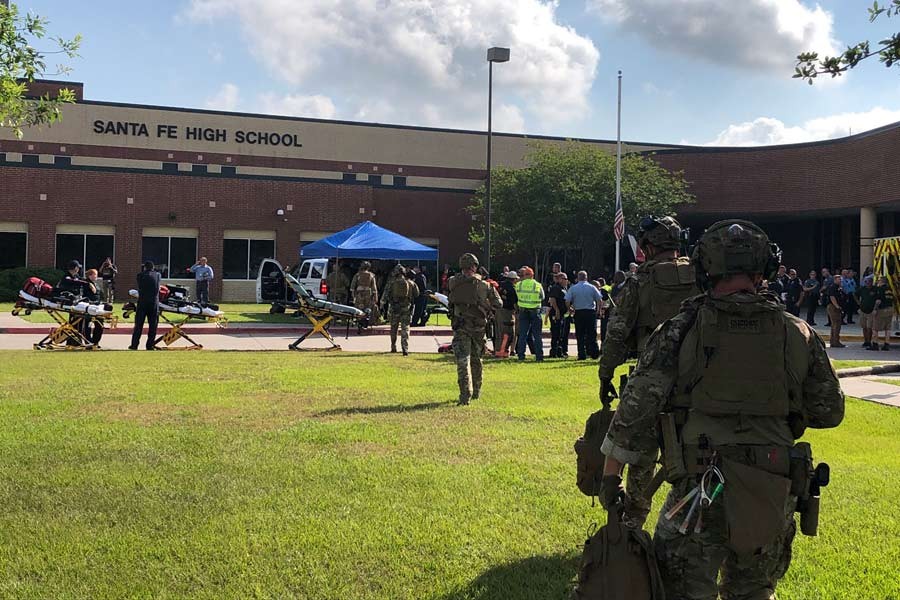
(368, 240)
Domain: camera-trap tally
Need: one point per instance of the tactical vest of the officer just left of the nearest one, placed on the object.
(662, 287)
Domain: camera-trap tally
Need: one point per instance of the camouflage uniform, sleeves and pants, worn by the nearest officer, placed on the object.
(690, 563)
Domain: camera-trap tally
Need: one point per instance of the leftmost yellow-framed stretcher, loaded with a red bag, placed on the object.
(72, 312)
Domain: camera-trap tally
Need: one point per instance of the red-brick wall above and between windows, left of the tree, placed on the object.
(79, 197)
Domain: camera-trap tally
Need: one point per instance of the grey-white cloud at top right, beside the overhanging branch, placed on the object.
(764, 35)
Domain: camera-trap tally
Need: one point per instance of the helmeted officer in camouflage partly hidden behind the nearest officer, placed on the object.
(649, 297)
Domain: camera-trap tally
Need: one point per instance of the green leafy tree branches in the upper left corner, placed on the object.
(21, 63)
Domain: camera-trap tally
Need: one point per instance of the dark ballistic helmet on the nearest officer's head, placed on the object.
(734, 246)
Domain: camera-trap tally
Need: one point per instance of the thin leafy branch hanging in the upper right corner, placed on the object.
(809, 66)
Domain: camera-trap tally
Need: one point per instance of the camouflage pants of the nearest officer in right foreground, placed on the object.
(691, 563)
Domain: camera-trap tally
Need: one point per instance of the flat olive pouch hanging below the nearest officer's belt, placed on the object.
(755, 502)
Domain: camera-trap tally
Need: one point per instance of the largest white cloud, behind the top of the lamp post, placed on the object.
(424, 61)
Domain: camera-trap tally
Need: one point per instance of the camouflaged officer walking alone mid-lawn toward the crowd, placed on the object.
(471, 303)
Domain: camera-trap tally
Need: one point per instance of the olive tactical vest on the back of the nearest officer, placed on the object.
(739, 360)
